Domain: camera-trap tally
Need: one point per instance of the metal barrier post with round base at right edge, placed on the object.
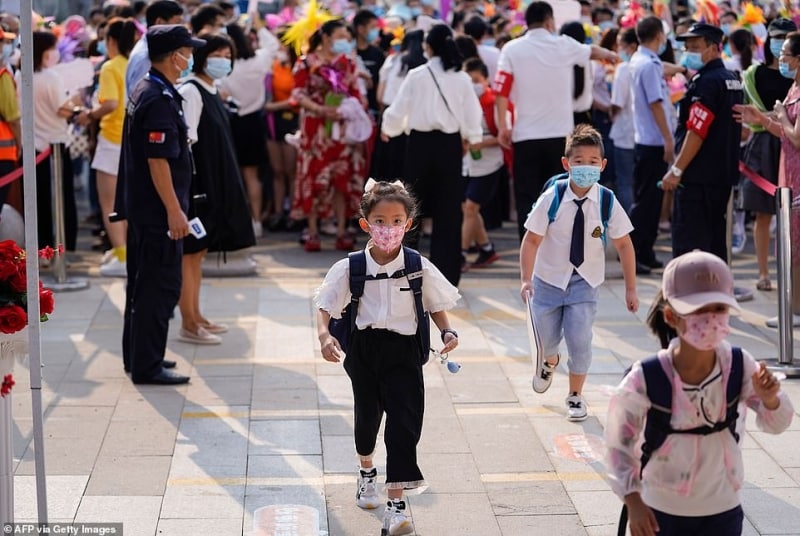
(785, 362)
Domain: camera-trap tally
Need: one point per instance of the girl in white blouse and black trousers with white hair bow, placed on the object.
(383, 360)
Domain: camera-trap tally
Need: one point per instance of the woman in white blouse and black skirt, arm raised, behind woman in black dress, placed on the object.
(245, 86)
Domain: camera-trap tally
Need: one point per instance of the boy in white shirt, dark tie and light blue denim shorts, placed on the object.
(563, 262)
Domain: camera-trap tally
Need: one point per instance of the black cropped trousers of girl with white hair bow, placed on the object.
(386, 374)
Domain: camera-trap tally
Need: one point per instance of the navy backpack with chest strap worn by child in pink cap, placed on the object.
(657, 423)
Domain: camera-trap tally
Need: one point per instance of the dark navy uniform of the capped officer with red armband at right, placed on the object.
(701, 201)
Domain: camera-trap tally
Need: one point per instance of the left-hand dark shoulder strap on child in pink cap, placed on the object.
(657, 425)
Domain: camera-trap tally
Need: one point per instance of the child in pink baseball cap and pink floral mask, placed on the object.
(685, 403)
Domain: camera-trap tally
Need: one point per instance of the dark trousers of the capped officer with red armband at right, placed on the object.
(699, 219)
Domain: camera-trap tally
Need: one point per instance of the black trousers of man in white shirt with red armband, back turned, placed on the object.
(535, 161)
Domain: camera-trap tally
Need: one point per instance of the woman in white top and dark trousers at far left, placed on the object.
(53, 107)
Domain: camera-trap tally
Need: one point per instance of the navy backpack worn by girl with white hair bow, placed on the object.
(342, 328)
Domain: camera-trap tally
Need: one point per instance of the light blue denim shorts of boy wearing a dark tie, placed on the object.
(566, 314)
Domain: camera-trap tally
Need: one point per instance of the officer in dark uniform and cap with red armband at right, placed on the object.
(706, 167)
